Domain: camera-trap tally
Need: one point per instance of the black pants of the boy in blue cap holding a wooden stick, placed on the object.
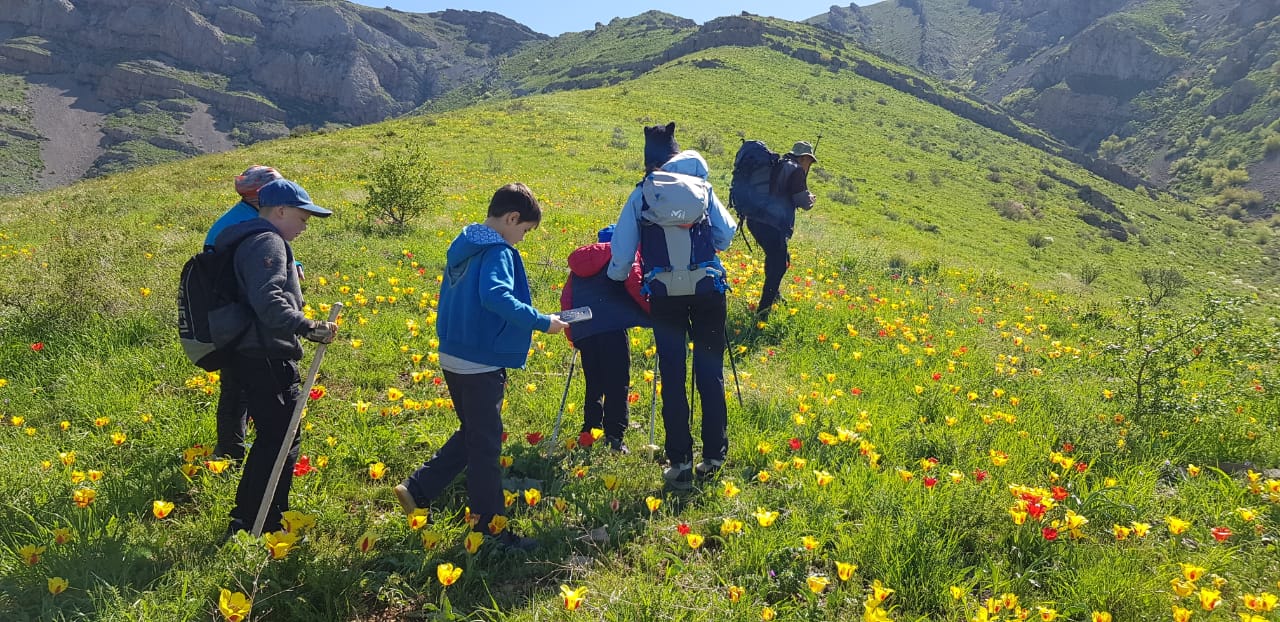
(273, 390)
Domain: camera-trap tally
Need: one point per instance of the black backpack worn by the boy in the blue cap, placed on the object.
(208, 289)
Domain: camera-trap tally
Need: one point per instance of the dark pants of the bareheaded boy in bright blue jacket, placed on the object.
(476, 447)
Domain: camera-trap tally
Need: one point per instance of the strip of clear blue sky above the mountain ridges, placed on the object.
(572, 16)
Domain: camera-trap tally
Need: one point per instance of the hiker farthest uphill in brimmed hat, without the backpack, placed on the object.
(772, 234)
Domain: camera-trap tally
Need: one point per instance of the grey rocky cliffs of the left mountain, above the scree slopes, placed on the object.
(263, 67)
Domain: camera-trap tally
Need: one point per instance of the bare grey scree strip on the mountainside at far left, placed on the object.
(70, 118)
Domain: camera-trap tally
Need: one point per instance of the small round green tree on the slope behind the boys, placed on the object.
(404, 184)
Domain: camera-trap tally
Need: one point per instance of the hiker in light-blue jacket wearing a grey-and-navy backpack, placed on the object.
(679, 226)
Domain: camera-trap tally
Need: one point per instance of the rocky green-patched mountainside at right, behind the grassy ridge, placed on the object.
(1187, 93)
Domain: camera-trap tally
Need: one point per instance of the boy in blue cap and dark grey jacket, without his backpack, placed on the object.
(267, 359)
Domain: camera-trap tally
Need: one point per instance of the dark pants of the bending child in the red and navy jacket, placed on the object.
(607, 368)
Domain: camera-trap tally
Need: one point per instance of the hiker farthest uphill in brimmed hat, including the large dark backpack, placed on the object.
(767, 190)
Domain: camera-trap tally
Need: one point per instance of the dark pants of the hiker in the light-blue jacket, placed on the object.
(676, 321)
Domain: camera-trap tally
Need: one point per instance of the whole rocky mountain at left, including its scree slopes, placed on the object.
(100, 86)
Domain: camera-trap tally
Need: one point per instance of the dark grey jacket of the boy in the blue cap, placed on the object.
(269, 290)
